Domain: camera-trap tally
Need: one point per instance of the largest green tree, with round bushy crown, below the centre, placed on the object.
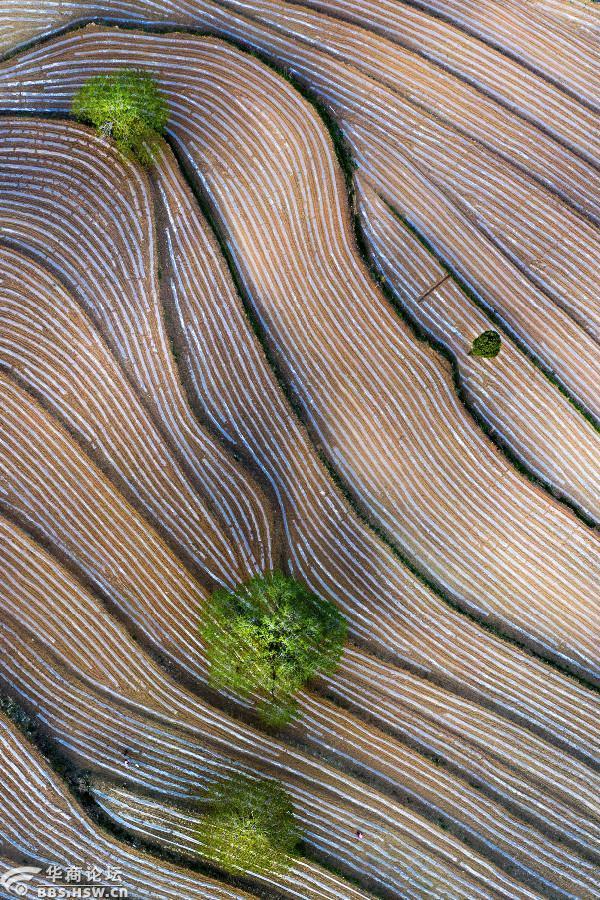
(269, 637)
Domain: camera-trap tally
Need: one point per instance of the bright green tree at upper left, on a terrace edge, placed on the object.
(127, 106)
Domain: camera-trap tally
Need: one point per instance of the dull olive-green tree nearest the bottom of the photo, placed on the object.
(249, 826)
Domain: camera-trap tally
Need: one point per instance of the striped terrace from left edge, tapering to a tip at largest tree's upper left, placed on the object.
(57, 354)
